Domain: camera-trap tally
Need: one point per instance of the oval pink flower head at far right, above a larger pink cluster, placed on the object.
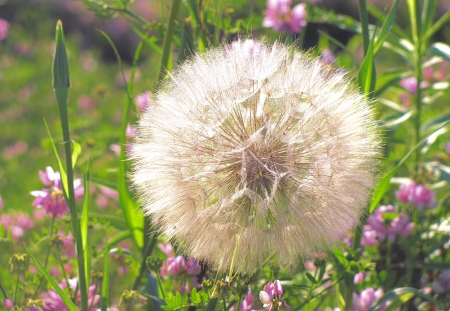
(416, 194)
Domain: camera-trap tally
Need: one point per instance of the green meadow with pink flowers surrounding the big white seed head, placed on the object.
(403, 262)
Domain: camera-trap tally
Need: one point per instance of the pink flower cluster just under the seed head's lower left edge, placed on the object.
(185, 271)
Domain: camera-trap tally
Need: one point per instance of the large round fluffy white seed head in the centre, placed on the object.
(259, 149)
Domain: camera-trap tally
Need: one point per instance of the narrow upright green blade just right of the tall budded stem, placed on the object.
(85, 226)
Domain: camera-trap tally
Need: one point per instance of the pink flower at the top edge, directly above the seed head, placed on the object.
(280, 17)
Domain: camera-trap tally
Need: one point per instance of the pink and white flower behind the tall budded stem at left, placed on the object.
(52, 198)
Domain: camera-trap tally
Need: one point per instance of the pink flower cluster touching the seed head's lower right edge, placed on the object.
(381, 229)
